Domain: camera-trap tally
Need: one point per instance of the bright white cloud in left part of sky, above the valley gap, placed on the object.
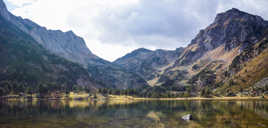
(78, 16)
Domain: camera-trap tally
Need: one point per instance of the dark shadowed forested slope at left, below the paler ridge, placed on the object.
(25, 65)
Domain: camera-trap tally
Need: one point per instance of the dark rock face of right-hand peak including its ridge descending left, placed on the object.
(232, 29)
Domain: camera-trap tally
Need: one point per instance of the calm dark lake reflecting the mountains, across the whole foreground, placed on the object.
(149, 114)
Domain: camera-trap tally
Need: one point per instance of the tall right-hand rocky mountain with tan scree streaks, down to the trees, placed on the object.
(207, 60)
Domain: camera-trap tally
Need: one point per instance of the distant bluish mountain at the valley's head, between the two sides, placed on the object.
(149, 64)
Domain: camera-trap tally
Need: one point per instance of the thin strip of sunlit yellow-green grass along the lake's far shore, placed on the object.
(84, 100)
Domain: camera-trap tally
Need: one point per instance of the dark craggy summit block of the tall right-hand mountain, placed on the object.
(231, 28)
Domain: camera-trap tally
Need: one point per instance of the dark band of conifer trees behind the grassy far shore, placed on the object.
(14, 87)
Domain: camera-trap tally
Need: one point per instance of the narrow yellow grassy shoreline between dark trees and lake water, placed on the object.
(124, 100)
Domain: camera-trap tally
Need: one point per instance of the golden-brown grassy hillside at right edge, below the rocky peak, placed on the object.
(247, 69)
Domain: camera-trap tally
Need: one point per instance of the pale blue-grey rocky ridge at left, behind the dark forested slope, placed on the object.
(73, 48)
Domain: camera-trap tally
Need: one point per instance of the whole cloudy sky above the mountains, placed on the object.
(113, 28)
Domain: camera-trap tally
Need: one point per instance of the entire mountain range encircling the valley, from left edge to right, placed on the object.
(228, 57)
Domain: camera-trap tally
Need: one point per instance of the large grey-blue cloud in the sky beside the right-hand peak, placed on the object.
(164, 23)
